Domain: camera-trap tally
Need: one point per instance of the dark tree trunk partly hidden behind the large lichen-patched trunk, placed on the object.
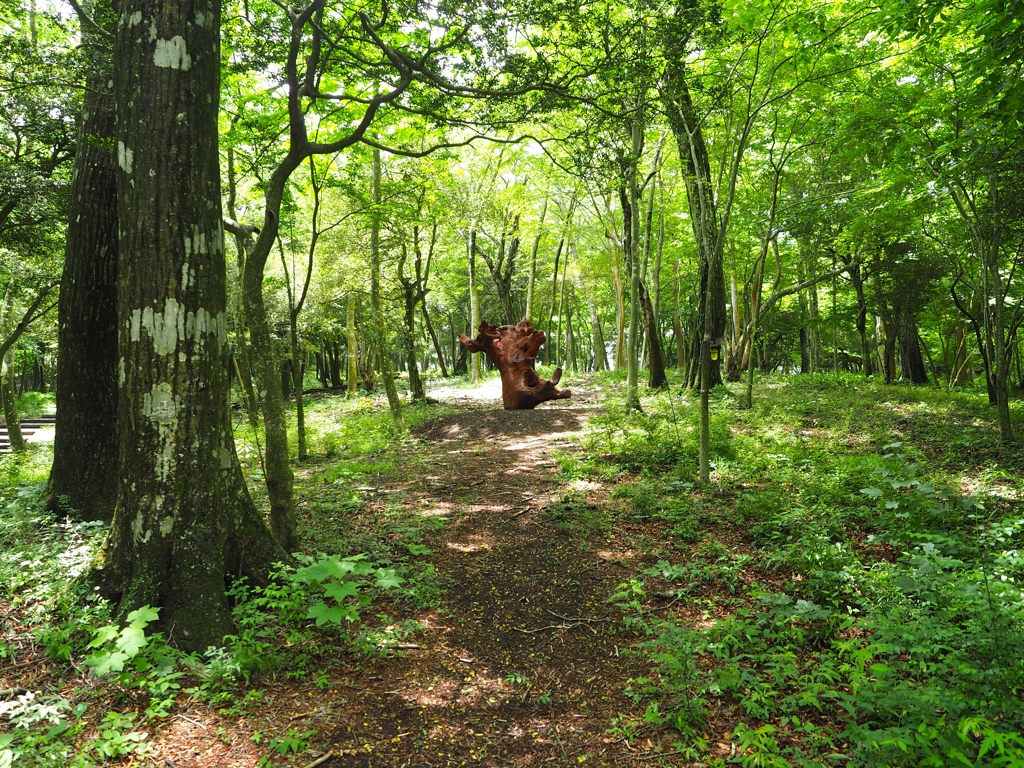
(86, 446)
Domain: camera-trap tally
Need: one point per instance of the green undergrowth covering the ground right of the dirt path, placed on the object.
(867, 610)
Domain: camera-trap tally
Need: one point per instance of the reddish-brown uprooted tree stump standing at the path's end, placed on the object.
(514, 350)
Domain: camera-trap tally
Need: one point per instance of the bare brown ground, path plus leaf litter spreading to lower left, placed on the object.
(522, 663)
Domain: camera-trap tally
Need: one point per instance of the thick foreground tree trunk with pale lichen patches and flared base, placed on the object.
(184, 523)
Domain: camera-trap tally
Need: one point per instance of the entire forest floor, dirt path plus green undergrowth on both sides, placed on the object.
(571, 598)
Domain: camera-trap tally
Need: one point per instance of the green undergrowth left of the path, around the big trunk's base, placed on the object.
(323, 610)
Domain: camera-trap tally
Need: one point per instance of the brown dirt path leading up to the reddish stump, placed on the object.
(522, 664)
